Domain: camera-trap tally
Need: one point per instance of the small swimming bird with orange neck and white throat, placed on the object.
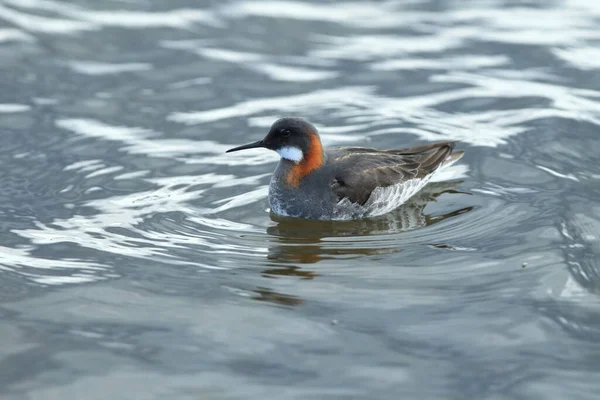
(342, 183)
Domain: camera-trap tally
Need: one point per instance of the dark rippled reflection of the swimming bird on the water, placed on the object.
(297, 241)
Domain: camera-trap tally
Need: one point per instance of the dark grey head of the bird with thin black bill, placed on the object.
(295, 139)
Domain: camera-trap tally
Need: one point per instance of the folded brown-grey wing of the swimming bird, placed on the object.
(360, 170)
